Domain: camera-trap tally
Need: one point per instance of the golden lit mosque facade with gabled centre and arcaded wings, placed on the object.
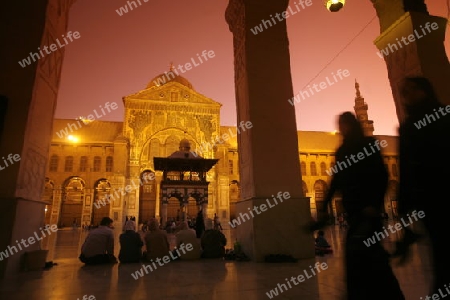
(156, 120)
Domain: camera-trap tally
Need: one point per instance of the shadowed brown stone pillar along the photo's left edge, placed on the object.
(31, 93)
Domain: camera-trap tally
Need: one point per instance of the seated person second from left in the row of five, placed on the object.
(130, 244)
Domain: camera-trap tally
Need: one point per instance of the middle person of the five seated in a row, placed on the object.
(156, 242)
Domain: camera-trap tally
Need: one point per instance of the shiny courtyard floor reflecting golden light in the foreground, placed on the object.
(200, 280)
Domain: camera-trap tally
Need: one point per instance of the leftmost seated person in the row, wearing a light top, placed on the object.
(98, 248)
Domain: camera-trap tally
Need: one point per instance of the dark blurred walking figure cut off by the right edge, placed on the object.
(423, 135)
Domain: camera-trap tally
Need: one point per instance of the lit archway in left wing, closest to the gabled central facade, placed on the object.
(101, 194)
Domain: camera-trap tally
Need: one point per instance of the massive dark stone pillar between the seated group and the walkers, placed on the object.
(268, 153)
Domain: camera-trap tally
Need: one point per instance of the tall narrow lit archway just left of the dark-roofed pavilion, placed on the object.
(147, 196)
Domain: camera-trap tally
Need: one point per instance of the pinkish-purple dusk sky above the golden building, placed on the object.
(118, 55)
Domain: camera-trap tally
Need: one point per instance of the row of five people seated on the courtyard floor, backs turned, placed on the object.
(98, 247)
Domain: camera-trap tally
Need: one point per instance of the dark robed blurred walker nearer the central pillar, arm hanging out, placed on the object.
(362, 185)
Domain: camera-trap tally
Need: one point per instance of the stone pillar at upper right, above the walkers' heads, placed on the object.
(414, 48)
